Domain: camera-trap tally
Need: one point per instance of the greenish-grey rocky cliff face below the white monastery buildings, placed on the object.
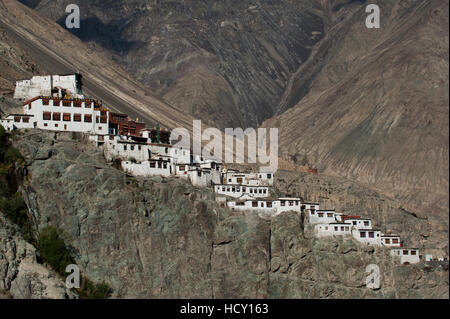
(163, 238)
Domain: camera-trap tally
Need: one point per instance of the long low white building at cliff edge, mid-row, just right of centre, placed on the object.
(272, 207)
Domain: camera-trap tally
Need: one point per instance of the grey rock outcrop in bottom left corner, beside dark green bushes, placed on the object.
(21, 276)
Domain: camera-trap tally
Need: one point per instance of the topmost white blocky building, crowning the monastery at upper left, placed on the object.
(50, 85)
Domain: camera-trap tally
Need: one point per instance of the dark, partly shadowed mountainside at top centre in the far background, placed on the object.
(227, 62)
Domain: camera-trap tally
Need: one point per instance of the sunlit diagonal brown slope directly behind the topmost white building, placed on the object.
(55, 50)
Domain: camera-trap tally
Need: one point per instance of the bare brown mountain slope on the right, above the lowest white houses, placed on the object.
(376, 104)
